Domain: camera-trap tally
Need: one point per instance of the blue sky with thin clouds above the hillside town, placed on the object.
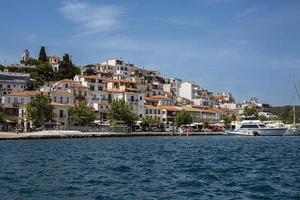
(247, 47)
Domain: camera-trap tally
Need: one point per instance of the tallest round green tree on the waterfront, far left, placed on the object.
(39, 110)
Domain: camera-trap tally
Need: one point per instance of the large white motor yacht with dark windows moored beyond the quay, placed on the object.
(254, 128)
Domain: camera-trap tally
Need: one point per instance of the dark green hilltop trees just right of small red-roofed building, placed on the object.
(67, 69)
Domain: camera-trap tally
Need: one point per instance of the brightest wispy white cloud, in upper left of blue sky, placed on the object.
(91, 18)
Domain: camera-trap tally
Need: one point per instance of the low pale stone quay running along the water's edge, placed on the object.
(78, 134)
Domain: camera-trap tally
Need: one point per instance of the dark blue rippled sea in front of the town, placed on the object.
(185, 167)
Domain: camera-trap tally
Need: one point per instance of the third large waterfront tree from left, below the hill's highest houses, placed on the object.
(120, 111)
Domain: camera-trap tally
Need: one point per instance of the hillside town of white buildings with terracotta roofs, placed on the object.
(147, 92)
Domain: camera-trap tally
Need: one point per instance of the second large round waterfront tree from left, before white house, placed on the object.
(81, 114)
